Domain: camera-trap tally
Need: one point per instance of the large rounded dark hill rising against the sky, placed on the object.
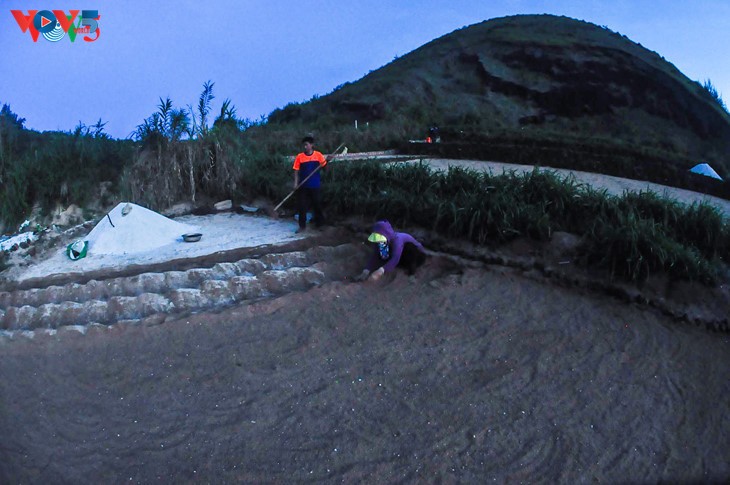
(540, 78)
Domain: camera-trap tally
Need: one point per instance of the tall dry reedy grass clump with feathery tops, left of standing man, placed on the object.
(180, 156)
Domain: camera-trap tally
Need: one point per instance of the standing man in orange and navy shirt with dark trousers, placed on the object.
(307, 162)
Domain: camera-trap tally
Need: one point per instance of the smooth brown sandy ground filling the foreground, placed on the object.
(461, 374)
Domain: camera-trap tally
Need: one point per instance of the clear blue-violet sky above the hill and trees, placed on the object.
(263, 55)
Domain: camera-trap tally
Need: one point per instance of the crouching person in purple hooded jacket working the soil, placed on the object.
(390, 250)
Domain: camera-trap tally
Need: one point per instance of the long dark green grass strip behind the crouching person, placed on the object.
(631, 237)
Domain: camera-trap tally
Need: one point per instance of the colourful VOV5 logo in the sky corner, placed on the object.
(54, 25)
